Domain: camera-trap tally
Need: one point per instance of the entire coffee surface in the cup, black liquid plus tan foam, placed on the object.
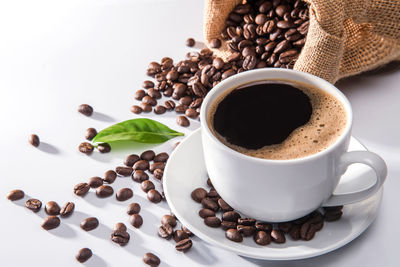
(277, 119)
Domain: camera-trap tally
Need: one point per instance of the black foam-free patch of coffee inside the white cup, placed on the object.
(259, 115)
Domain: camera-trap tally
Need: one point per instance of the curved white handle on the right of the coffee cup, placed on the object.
(366, 157)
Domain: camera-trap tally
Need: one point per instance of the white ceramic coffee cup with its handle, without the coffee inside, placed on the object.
(283, 190)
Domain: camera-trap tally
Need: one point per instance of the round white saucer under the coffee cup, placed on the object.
(186, 171)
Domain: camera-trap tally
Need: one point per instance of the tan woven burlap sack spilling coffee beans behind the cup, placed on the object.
(345, 37)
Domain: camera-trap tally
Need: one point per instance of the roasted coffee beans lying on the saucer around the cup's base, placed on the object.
(263, 233)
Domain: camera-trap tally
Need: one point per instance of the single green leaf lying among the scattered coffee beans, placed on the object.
(138, 130)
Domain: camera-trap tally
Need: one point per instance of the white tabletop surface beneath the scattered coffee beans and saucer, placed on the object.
(55, 55)
